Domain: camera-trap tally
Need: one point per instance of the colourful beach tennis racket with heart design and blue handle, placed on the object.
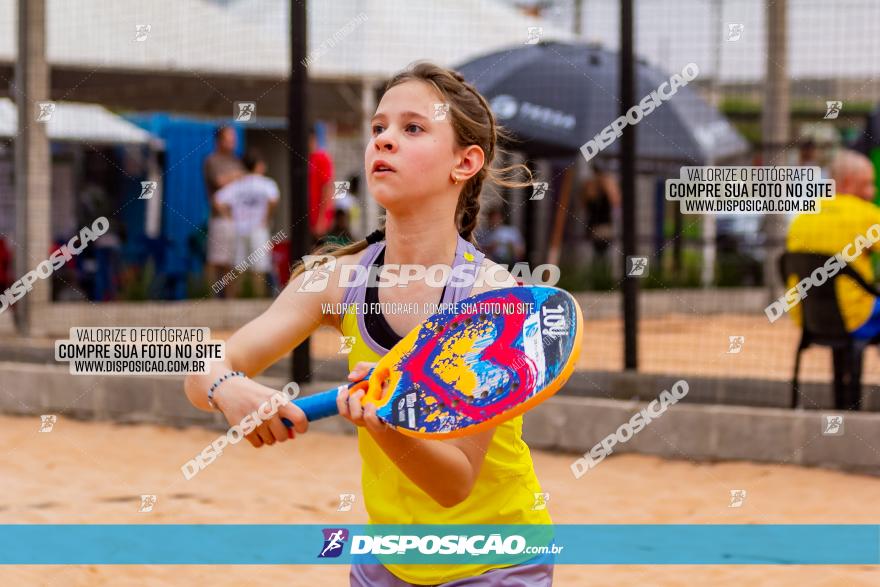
(497, 355)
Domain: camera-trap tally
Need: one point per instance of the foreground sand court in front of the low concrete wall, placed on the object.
(95, 472)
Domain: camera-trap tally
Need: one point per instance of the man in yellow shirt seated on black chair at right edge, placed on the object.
(839, 224)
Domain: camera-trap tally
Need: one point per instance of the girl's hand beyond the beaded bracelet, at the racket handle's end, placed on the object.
(239, 397)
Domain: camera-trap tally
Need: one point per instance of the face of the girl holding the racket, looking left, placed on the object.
(421, 152)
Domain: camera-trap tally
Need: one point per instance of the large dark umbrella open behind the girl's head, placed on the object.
(557, 96)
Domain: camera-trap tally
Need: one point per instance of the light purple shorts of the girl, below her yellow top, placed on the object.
(540, 575)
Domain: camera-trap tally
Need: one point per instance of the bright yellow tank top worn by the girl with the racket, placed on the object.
(504, 492)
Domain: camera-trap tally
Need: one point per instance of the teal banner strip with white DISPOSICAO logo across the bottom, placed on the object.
(175, 544)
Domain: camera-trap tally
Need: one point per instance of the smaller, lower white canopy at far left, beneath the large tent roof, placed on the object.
(71, 121)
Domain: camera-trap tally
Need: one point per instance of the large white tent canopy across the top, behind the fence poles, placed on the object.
(346, 38)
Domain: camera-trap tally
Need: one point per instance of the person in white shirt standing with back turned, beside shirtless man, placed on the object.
(249, 202)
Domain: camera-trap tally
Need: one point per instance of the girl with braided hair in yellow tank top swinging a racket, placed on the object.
(432, 147)
